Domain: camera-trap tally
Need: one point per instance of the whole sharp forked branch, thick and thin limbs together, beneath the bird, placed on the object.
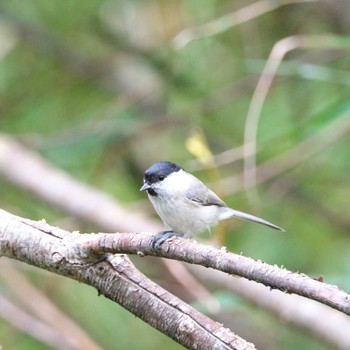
(87, 258)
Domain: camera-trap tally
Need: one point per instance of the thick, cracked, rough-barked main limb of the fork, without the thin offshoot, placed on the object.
(115, 277)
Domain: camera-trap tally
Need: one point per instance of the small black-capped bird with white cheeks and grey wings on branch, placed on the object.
(185, 205)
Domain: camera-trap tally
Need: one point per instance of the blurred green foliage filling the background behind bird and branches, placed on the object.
(98, 89)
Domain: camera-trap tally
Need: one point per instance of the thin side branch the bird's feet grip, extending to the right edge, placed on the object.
(219, 259)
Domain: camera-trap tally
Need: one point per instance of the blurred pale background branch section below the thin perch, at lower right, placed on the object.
(309, 316)
